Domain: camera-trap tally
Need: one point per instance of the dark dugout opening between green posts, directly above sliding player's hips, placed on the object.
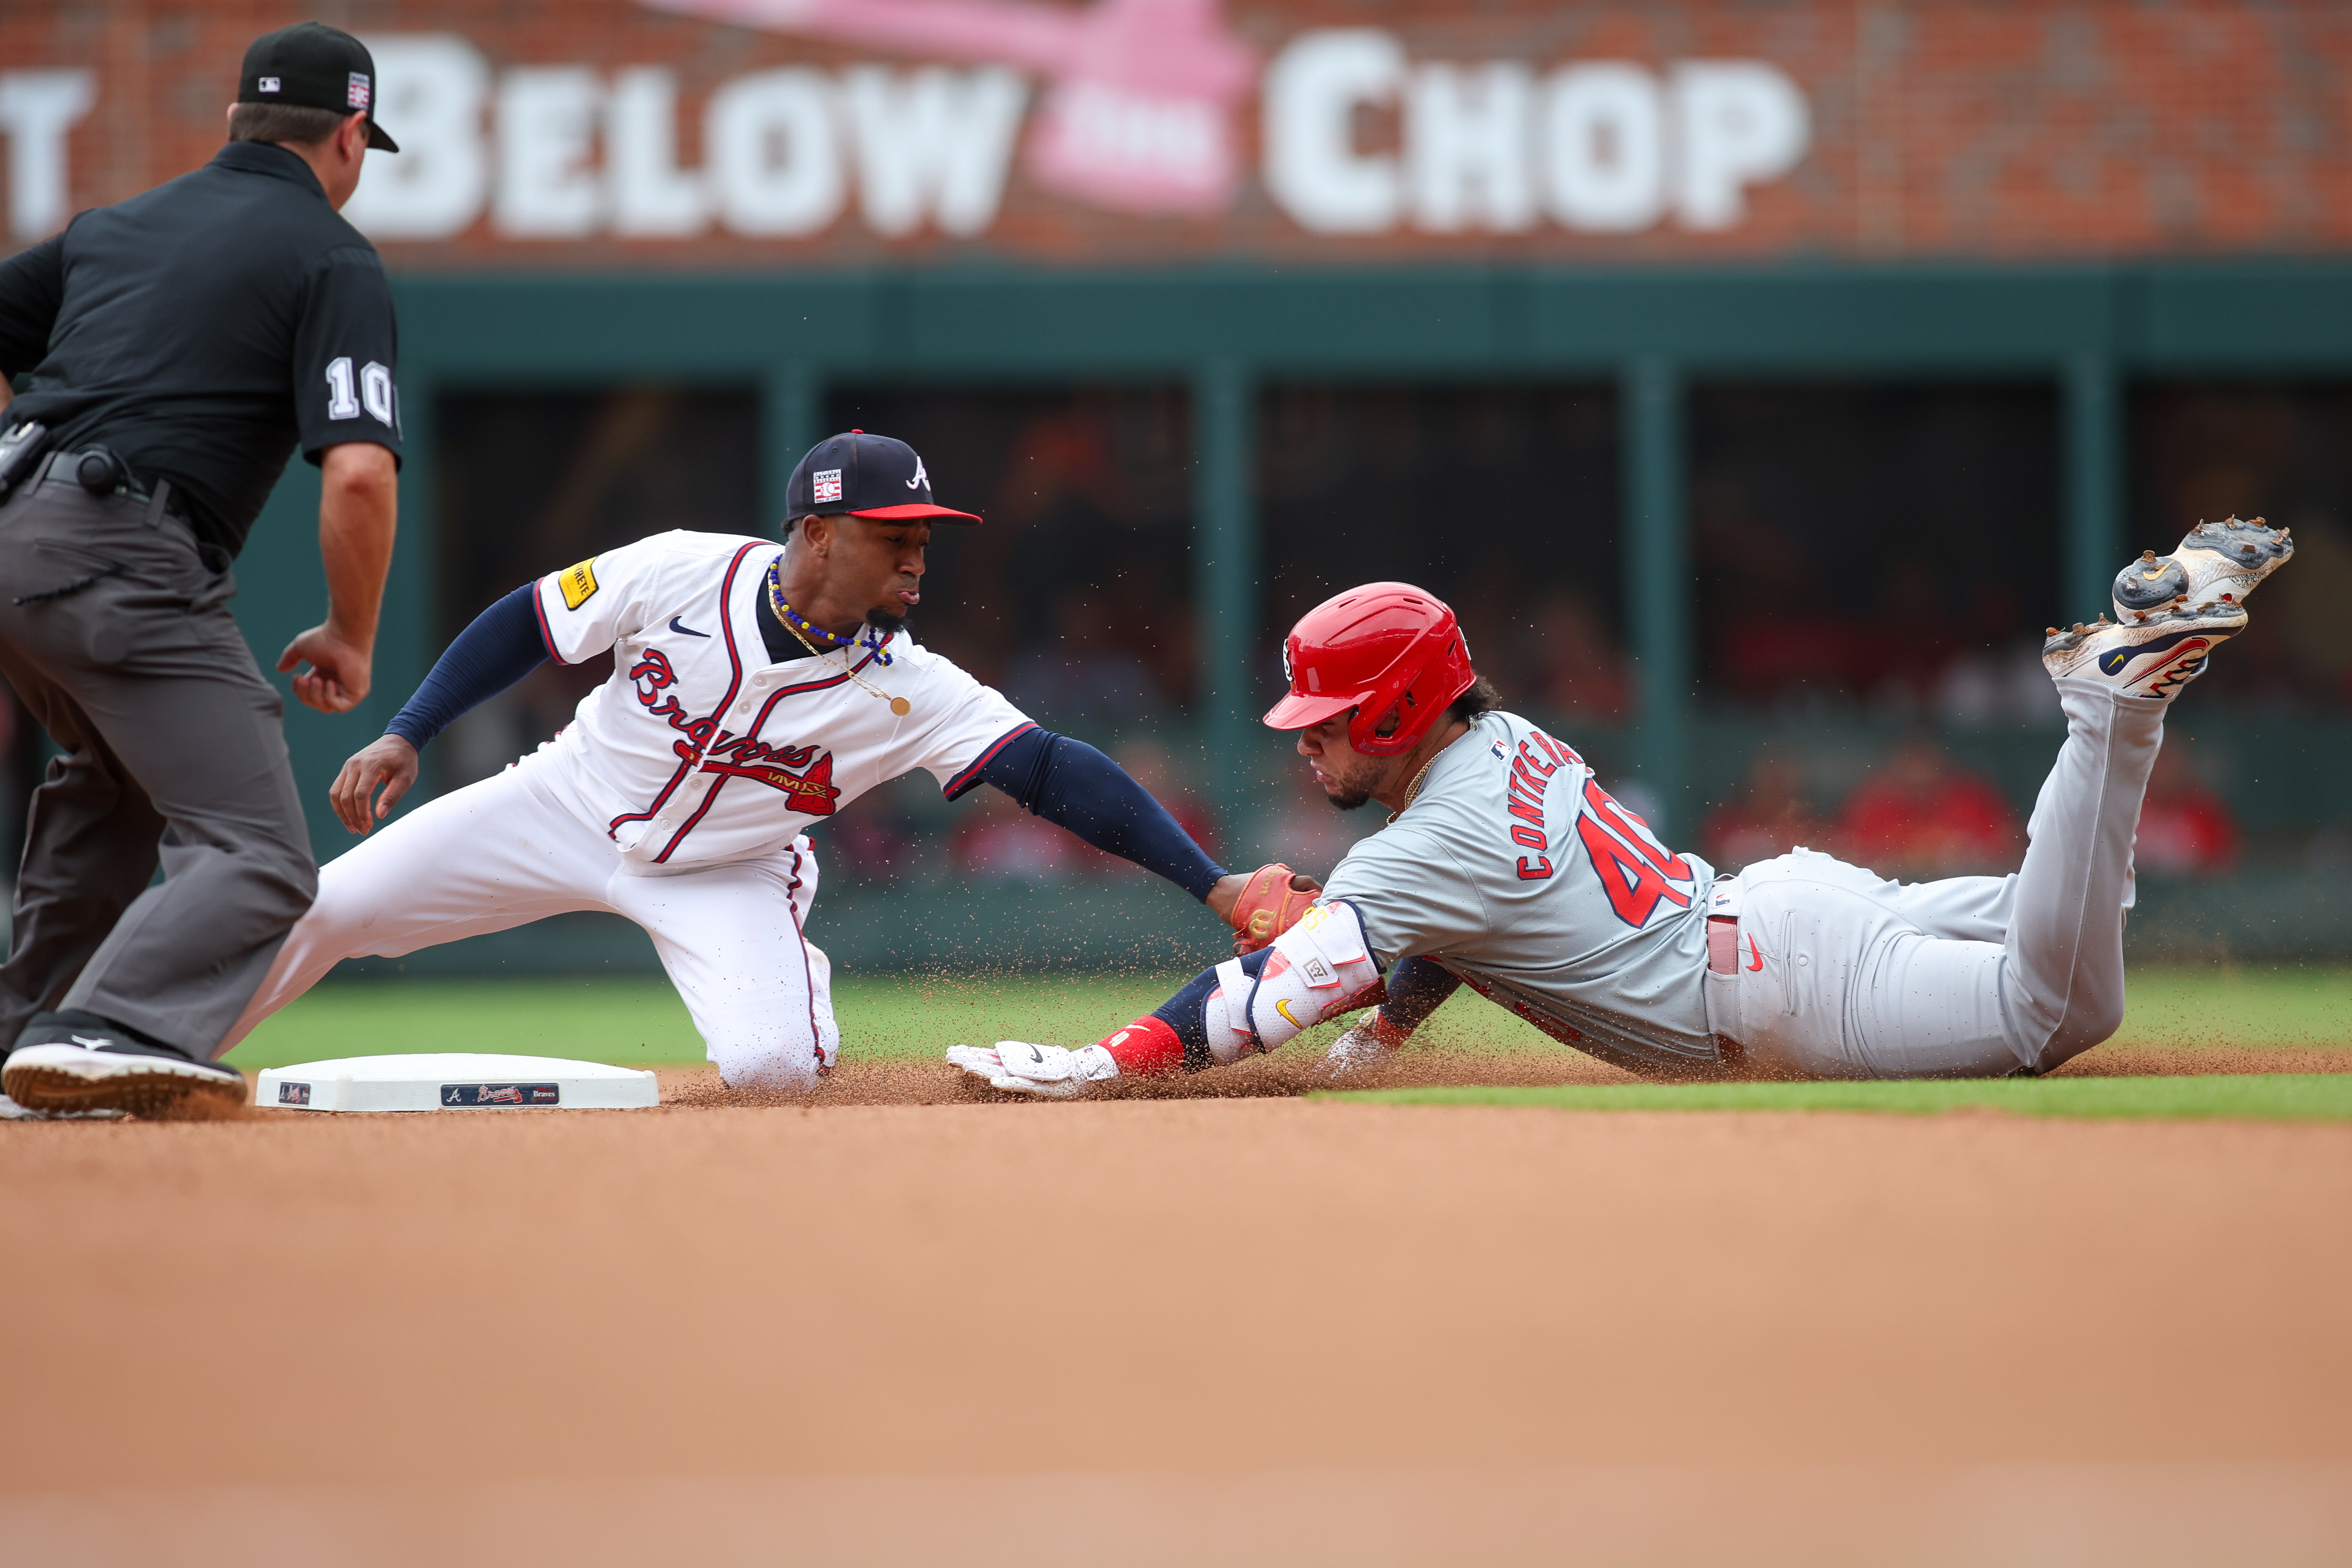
(1883, 547)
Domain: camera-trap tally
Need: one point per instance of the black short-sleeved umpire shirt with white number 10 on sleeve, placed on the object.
(203, 328)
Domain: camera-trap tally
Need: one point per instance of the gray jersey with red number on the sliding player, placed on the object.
(1523, 878)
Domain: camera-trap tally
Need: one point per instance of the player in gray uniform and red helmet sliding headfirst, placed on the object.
(1514, 871)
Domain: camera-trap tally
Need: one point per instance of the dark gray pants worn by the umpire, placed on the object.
(119, 638)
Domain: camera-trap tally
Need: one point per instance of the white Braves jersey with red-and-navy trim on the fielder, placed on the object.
(702, 751)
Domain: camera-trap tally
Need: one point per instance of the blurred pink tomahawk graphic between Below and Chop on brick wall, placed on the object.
(1140, 114)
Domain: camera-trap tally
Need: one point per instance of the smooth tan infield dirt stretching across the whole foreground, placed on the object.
(1175, 1334)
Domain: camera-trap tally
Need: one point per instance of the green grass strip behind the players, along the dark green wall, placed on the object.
(902, 1017)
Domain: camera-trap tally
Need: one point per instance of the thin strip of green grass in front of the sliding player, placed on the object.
(2287, 1097)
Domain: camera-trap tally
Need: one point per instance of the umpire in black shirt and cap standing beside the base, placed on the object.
(180, 347)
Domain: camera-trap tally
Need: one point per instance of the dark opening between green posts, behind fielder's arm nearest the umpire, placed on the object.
(533, 481)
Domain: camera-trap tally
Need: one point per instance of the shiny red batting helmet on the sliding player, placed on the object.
(1382, 648)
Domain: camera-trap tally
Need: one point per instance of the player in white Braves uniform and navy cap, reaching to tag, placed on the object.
(756, 690)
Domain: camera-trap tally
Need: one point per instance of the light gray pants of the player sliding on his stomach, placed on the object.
(1850, 977)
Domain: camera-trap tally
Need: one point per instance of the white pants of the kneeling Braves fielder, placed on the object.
(502, 855)
